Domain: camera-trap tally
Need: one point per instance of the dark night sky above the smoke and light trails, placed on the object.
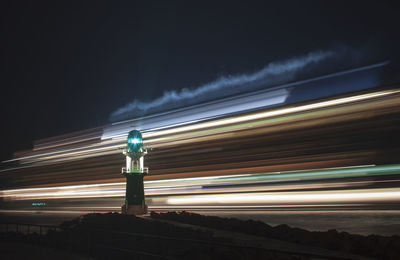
(67, 66)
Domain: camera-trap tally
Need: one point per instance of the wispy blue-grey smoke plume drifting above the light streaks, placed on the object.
(273, 73)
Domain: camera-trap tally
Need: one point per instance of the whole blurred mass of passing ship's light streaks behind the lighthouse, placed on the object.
(339, 151)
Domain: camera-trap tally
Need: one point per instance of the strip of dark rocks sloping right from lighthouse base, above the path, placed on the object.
(373, 246)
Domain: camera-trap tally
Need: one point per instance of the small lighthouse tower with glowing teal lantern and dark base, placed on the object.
(134, 173)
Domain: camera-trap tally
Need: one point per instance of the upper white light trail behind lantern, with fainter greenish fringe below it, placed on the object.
(203, 129)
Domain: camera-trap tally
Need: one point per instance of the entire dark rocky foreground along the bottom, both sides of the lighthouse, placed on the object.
(184, 235)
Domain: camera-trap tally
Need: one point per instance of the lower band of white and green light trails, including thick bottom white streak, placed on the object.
(225, 185)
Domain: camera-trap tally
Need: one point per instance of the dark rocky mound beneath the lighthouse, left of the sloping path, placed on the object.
(116, 236)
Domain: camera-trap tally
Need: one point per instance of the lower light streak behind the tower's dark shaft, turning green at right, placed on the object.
(211, 184)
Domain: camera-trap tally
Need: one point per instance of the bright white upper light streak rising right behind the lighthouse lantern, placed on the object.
(153, 138)
